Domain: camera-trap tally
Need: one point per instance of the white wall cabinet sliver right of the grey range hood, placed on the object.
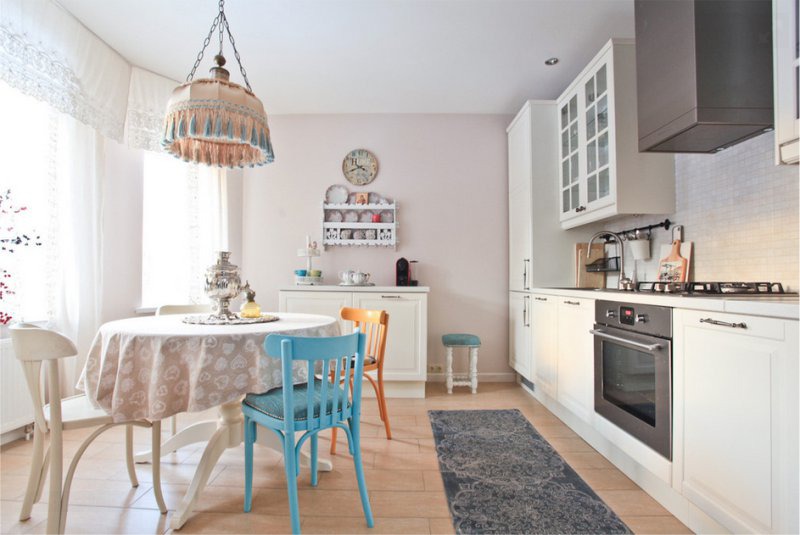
(786, 66)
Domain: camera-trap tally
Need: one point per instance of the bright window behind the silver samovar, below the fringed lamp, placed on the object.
(180, 229)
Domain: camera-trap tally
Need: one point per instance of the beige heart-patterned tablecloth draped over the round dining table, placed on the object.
(154, 367)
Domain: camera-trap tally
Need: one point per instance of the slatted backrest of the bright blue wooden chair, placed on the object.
(338, 350)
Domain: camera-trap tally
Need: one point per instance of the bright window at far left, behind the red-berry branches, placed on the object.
(28, 209)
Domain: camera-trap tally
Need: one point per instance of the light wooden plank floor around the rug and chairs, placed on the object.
(402, 475)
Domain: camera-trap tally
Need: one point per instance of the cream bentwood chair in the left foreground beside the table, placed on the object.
(33, 346)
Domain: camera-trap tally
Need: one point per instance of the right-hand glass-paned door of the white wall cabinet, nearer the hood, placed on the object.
(597, 136)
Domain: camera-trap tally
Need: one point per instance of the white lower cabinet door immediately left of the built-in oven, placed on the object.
(575, 377)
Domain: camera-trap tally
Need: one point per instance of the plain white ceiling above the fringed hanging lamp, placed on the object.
(371, 56)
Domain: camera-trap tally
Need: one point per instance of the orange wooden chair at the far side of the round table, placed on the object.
(374, 324)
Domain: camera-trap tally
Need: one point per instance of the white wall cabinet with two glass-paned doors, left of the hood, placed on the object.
(601, 173)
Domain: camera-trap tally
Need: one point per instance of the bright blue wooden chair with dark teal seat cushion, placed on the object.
(323, 405)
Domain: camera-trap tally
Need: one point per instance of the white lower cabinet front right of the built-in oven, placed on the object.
(736, 418)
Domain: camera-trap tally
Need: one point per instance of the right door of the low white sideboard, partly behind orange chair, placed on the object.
(406, 342)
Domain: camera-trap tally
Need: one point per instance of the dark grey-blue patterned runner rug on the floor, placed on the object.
(501, 476)
